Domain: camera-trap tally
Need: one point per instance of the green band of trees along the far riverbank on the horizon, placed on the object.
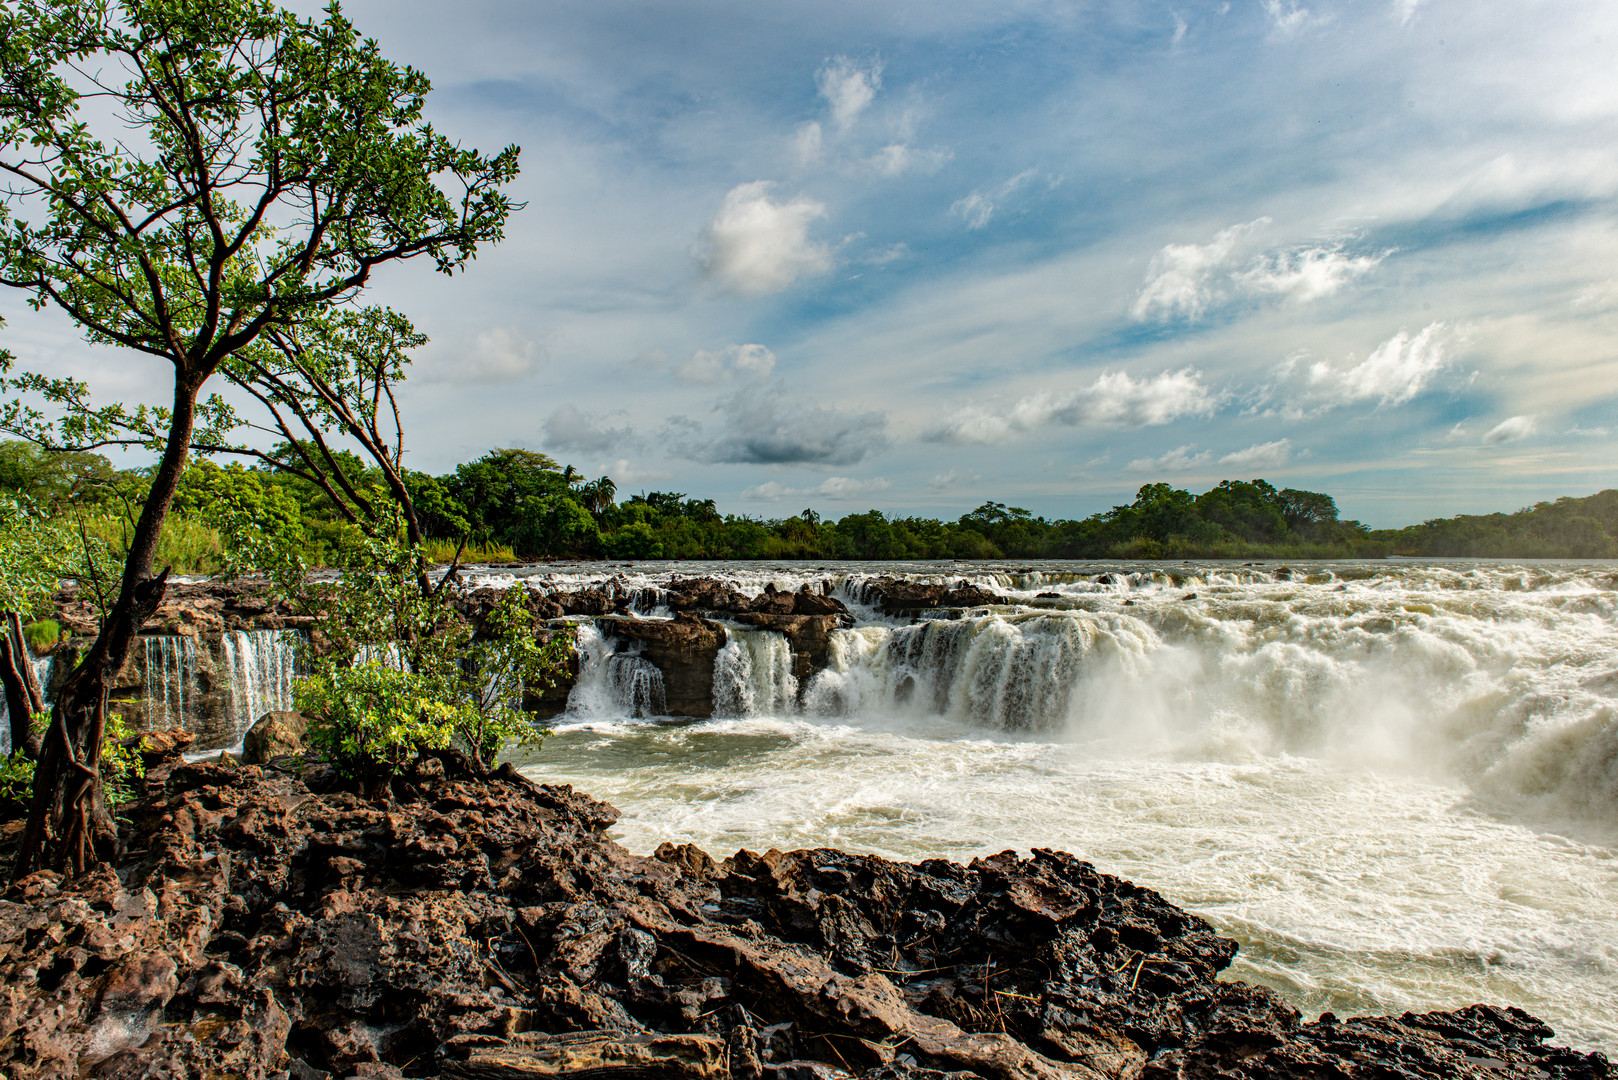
(515, 504)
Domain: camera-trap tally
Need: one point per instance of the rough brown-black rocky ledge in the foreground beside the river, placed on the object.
(274, 925)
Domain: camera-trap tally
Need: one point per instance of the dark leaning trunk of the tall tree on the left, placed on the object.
(69, 825)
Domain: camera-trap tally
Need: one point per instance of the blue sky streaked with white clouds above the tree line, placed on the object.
(917, 257)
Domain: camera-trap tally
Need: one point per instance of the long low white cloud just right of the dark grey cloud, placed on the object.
(1114, 401)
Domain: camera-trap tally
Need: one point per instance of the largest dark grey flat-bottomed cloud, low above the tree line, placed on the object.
(766, 427)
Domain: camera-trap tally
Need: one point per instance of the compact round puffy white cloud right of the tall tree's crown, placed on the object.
(756, 245)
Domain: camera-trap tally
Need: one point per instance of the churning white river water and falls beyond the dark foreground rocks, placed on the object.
(1396, 784)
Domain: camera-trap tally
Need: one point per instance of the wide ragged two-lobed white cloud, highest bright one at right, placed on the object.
(1188, 281)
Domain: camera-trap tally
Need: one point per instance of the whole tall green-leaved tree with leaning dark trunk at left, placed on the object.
(276, 163)
